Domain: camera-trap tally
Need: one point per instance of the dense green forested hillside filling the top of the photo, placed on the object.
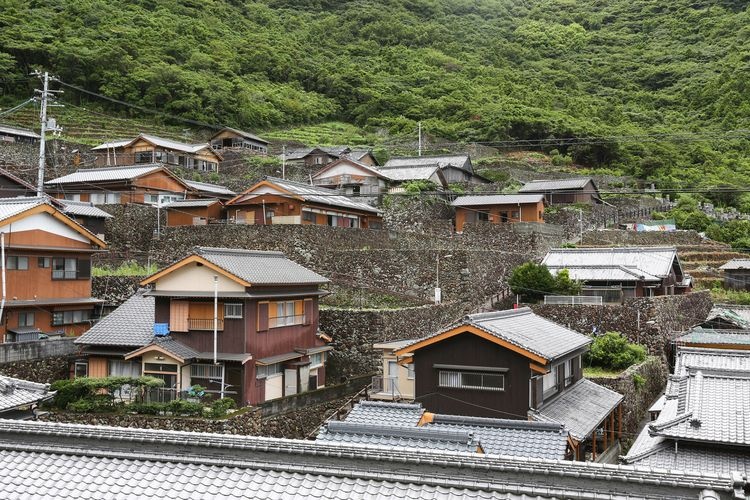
(470, 70)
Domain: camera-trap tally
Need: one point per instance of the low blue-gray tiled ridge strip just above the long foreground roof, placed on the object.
(398, 436)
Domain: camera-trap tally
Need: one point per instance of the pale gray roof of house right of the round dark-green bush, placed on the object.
(649, 262)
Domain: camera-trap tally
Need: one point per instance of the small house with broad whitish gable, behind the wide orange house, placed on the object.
(352, 178)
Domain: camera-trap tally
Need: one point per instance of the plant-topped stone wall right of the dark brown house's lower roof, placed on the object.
(640, 385)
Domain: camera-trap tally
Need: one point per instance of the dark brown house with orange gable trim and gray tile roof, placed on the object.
(517, 365)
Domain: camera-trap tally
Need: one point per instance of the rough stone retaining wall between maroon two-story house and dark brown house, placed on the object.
(354, 331)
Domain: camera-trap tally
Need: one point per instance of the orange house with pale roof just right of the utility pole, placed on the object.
(152, 184)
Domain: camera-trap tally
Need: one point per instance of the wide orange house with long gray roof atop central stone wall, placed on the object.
(280, 201)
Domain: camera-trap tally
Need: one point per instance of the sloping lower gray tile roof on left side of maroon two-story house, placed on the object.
(131, 324)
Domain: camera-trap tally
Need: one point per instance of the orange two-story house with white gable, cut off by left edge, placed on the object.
(48, 268)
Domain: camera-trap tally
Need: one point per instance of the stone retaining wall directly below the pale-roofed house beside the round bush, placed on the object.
(651, 322)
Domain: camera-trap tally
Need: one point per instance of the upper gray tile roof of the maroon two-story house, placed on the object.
(260, 267)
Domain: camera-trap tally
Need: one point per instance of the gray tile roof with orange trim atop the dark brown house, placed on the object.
(522, 328)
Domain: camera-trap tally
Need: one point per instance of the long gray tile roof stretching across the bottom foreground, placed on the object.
(51, 460)
